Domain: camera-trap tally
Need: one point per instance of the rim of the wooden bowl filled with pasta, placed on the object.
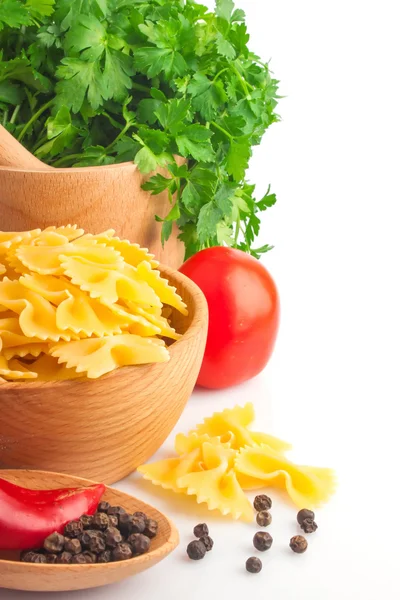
(199, 310)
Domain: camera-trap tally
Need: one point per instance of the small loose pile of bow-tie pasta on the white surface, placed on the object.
(222, 458)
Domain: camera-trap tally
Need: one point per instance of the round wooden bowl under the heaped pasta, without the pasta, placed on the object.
(104, 429)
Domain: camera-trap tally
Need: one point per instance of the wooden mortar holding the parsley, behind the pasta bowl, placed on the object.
(95, 198)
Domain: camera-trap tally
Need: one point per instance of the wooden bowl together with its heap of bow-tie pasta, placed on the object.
(64, 403)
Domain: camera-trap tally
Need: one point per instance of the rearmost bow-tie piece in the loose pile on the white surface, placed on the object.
(232, 424)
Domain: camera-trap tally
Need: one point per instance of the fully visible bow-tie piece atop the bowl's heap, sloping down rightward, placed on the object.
(107, 285)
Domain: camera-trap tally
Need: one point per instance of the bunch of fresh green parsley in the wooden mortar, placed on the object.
(95, 82)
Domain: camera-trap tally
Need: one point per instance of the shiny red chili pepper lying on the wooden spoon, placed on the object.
(27, 517)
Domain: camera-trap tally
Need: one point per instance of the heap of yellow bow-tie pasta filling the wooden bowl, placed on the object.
(79, 305)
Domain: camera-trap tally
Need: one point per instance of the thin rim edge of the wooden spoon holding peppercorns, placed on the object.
(171, 542)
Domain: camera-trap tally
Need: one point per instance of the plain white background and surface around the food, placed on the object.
(332, 387)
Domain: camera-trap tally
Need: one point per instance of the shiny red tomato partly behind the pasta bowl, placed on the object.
(243, 304)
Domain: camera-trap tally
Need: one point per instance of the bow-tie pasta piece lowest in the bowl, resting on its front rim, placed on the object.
(98, 356)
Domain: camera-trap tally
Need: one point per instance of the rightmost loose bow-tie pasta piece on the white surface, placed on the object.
(260, 467)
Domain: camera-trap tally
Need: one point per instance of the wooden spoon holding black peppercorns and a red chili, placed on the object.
(57, 578)
